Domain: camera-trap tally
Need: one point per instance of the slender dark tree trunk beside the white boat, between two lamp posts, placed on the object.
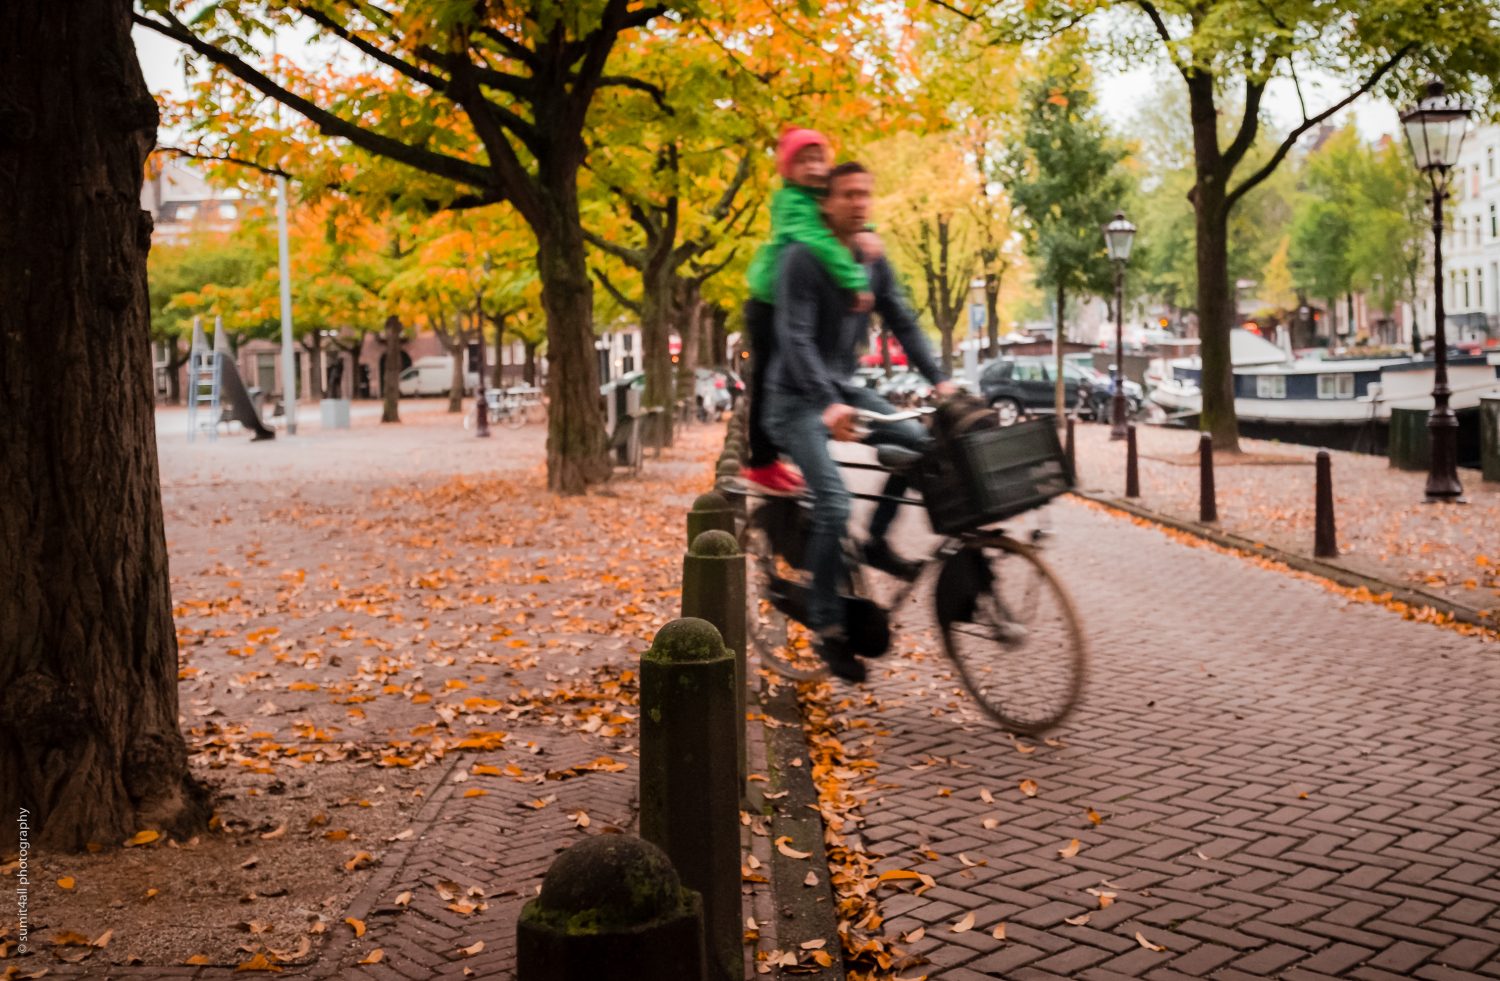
(1216, 305)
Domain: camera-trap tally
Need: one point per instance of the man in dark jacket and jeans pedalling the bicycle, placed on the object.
(812, 398)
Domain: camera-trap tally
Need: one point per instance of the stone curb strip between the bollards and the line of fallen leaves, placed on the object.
(803, 913)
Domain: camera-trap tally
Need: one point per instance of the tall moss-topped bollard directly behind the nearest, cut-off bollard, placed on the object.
(689, 778)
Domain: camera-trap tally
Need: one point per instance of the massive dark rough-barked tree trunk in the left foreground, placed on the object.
(89, 740)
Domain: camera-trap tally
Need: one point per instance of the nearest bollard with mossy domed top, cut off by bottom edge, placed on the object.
(611, 910)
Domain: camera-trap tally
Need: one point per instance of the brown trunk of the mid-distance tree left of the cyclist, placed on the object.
(577, 455)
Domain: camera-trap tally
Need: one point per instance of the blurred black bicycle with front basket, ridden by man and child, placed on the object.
(1007, 623)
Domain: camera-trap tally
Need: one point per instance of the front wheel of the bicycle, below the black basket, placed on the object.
(1013, 634)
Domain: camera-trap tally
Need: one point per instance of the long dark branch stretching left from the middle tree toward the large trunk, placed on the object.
(443, 166)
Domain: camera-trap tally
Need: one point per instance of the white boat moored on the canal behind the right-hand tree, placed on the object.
(1277, 389)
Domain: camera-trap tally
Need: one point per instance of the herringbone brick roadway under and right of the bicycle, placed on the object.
(1291, 785)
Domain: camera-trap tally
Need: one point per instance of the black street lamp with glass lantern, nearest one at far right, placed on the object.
(1436, 130)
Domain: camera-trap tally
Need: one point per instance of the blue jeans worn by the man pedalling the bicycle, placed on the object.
(802, 433)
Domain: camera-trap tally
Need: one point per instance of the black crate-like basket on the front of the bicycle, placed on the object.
(991, 475)
